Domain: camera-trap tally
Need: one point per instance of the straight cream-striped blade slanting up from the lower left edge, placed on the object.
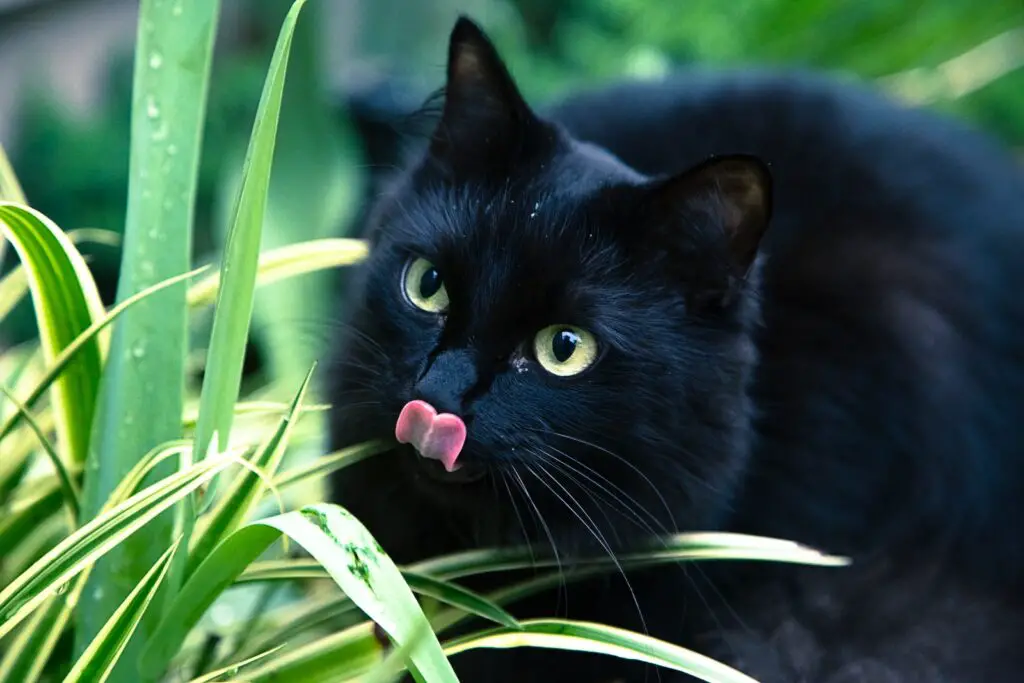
(97, 538)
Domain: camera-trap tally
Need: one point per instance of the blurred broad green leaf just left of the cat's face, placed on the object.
(316, 188)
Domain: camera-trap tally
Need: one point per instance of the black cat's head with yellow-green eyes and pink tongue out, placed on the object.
(586, 330)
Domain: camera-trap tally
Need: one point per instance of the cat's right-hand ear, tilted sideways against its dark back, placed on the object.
(723, 204)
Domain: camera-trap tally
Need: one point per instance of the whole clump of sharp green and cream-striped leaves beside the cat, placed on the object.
(130, 507)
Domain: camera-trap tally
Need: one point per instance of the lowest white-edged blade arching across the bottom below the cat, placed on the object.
(586, 637)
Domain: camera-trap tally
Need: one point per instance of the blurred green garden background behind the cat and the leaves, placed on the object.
(358, 62)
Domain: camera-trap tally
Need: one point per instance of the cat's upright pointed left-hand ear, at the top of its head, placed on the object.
(484, 108)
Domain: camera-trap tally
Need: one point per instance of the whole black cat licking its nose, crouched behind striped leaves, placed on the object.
(585, 334)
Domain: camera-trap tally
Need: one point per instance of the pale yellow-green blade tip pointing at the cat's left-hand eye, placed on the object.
(285, 263)
